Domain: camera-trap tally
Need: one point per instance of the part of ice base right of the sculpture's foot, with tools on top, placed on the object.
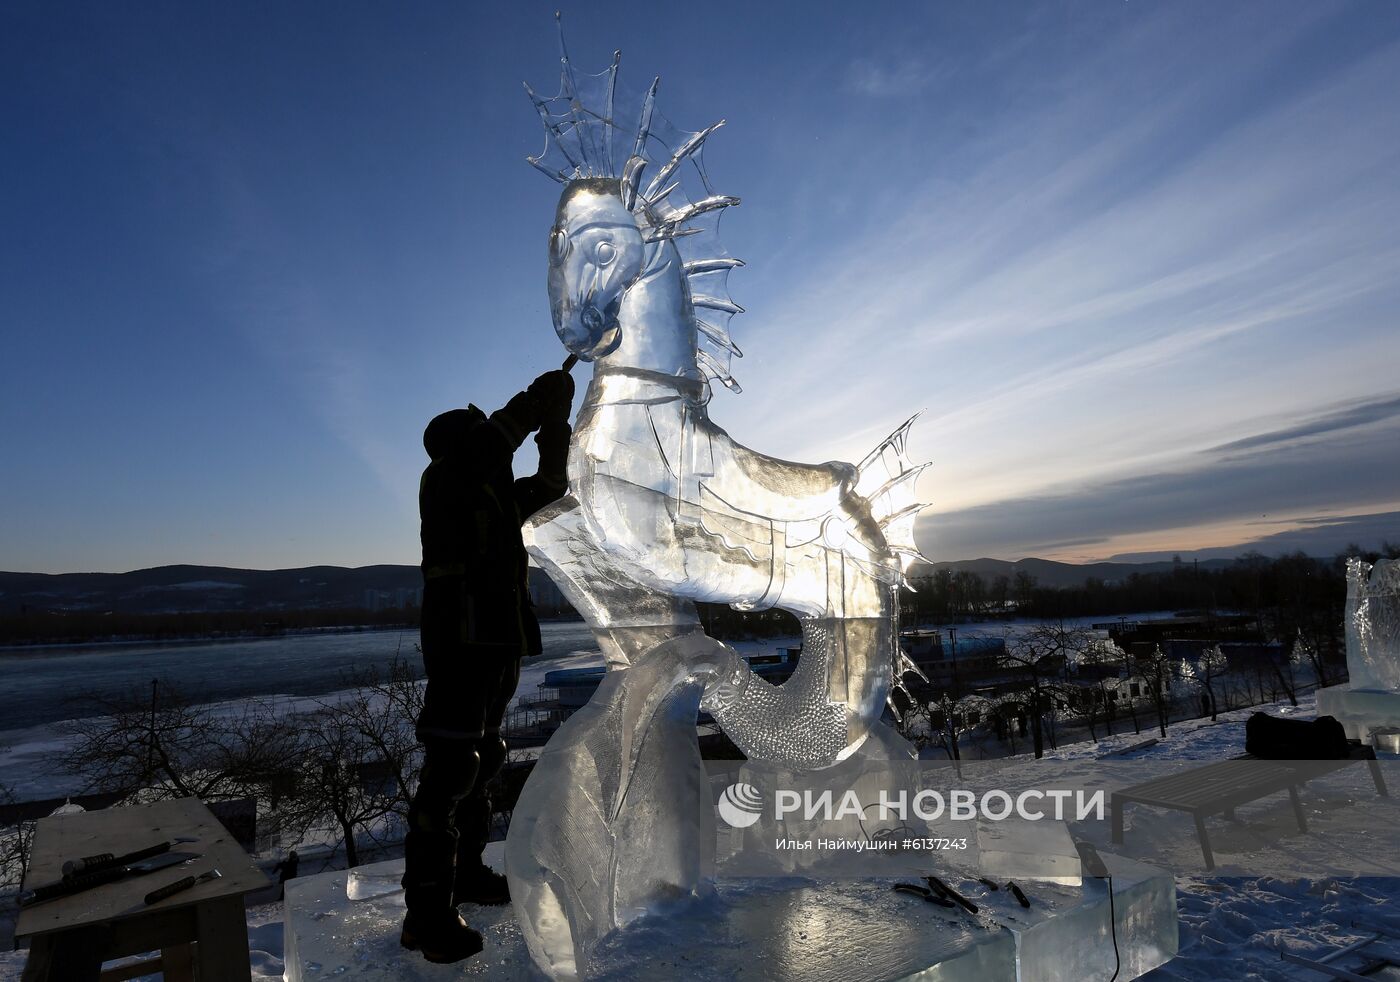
(845, 931)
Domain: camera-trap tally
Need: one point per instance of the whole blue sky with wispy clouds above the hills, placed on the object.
(1137, 263)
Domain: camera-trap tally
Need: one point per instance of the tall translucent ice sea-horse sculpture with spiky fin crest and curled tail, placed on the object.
(666, 511)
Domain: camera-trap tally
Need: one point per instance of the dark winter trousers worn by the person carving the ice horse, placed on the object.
(461, 732)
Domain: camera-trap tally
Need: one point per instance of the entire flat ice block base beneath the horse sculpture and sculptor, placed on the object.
(776, 929)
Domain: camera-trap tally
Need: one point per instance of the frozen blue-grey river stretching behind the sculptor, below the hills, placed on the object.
(43, 686)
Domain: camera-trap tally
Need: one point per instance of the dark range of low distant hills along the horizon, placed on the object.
(184, 589)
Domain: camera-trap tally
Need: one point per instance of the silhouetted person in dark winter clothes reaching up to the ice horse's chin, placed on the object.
(478, 624)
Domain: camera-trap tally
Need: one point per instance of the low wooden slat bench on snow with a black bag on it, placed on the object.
(1223, 787)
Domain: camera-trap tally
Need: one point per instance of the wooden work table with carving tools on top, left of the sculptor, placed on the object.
(198, 931)
